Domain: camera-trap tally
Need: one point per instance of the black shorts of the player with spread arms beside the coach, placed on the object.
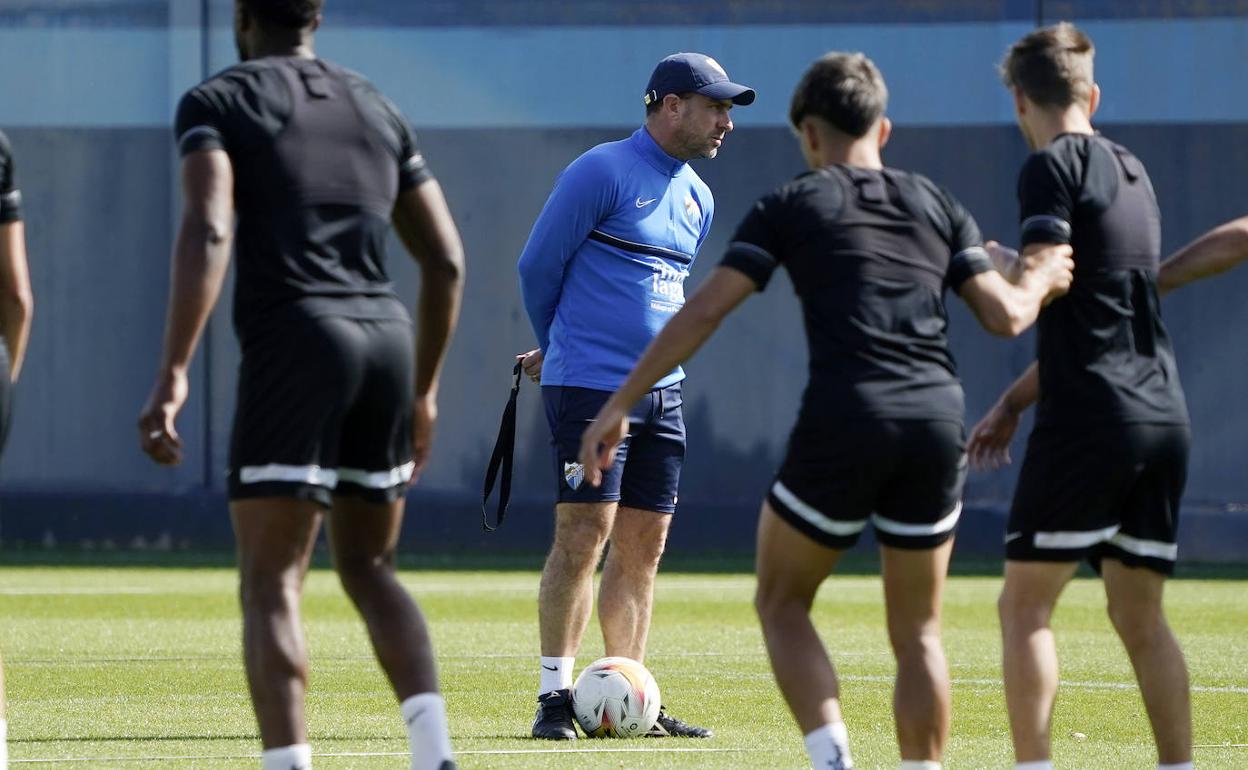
(903, 476)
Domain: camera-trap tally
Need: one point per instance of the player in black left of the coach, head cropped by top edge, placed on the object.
(336, 400)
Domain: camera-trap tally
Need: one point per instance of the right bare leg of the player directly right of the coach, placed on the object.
(914, 583)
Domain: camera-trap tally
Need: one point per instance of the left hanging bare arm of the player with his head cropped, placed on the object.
(202, 256)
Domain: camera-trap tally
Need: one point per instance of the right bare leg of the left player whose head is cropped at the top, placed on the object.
(364, 537)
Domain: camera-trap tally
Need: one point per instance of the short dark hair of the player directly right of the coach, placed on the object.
(847, 90)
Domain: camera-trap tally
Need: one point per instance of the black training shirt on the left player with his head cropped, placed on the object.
(319, 159)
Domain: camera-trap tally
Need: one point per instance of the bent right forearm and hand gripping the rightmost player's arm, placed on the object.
(1009, 309)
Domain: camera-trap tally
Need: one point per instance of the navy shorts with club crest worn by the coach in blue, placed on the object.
(647, 470)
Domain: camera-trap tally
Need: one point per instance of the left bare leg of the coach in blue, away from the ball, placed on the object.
(567, 596)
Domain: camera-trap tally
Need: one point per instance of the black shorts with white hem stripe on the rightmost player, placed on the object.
(1101, 492)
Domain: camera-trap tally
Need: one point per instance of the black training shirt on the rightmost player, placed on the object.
(1105, 355)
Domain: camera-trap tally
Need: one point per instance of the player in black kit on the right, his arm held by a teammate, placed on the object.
(1108, 460)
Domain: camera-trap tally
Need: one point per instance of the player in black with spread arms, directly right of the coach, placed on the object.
(879, 439)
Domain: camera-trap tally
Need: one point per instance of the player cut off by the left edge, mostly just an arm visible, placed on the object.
(16, 313)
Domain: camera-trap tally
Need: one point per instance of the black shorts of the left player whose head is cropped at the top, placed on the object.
(325, 407)
